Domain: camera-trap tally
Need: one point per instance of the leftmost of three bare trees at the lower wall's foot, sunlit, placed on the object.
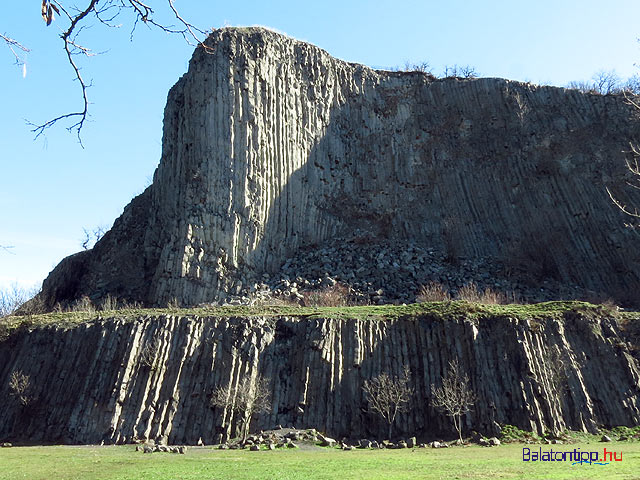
(247, 399)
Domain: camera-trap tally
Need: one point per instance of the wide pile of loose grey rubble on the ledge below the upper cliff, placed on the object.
(385, 272)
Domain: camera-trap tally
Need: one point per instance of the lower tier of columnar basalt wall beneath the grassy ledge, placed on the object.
(119, 380)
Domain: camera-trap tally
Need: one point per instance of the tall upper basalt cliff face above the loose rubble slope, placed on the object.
(271, 145)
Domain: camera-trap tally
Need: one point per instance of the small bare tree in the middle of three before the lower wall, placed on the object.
(389, 396)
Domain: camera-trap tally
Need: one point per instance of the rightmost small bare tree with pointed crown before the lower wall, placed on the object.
(455, 396)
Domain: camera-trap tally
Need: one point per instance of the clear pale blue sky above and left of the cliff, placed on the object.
(52, 188)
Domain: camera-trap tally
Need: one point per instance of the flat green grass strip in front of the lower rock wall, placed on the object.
(123, 462)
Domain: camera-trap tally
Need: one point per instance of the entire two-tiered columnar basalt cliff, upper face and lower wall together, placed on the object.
(284, 170)
